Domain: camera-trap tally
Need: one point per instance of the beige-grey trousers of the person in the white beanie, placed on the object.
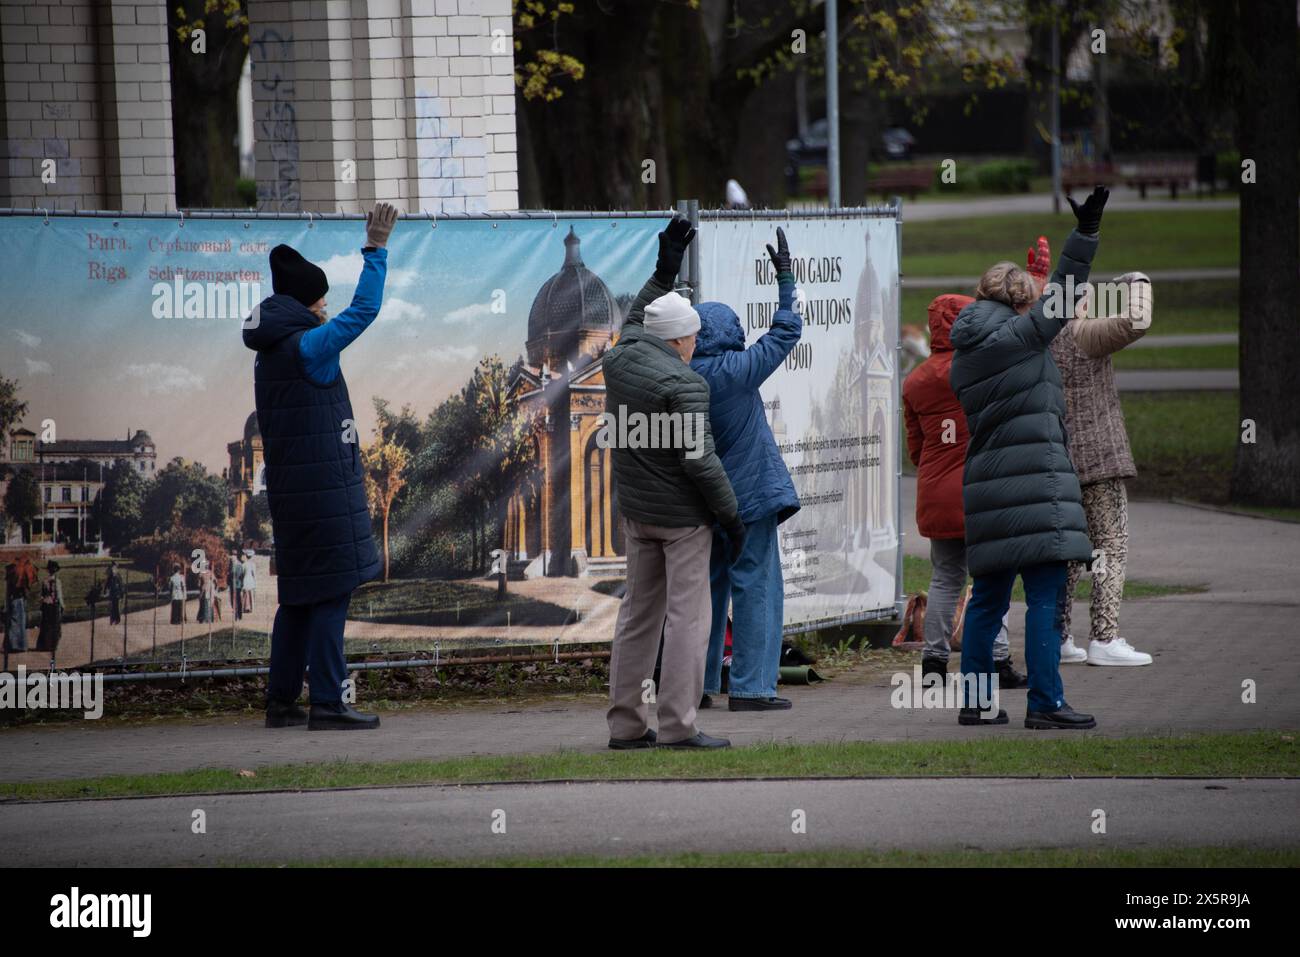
(669, 594)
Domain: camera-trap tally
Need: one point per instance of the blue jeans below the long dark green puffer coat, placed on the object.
(991, 597)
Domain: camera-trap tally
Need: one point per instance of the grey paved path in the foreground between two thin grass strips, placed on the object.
(652, 819)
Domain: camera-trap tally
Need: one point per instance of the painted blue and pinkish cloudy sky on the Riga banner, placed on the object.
(80, 336)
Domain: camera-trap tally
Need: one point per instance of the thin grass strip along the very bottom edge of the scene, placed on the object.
(964, 858)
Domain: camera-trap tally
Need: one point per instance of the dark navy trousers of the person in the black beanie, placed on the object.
(310, 635)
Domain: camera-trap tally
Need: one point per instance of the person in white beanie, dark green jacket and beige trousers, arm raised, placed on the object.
(670, 495)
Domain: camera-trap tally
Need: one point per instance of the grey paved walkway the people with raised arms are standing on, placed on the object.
(1206, 647)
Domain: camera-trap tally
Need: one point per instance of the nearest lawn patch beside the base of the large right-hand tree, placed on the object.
(1182, 443)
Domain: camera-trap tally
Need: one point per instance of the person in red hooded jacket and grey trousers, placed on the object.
(937, 444)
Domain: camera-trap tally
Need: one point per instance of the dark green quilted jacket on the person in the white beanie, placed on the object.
(662, 487)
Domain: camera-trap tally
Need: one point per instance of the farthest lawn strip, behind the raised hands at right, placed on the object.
(1146, 241)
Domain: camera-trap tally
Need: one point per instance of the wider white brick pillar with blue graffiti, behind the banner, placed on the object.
(404, 101)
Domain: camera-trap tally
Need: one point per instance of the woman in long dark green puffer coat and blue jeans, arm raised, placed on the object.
(1022, 501)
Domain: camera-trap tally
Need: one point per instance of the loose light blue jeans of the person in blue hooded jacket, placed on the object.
(757, 591)
